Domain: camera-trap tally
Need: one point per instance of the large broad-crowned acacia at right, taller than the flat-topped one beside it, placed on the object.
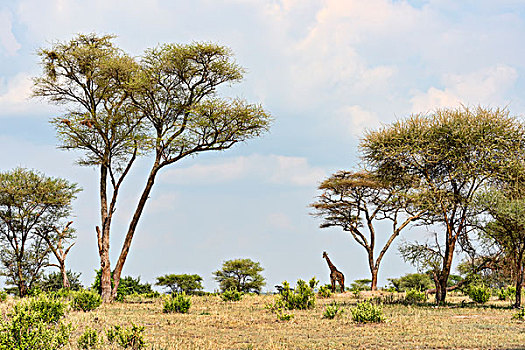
(452, 154)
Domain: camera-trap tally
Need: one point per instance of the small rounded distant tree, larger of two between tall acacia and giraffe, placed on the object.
(244, 275)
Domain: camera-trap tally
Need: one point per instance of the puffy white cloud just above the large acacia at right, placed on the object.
(486, 87)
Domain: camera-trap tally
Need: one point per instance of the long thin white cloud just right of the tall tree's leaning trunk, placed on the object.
(272, 169)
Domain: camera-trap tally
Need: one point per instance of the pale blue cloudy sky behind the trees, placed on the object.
(326, 70)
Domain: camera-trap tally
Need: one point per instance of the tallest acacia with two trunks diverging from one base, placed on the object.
(163, 105)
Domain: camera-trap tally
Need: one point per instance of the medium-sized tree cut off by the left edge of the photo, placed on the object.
(31, 206)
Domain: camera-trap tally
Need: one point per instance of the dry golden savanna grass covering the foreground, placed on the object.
(214, 324)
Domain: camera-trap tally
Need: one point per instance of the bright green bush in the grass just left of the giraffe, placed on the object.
(302, 297)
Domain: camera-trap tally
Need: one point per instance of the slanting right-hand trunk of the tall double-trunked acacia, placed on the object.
(132, 227)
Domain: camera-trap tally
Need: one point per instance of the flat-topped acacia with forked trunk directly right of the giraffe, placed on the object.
(355, 201)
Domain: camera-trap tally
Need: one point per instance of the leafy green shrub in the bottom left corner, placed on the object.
(34, 324)
